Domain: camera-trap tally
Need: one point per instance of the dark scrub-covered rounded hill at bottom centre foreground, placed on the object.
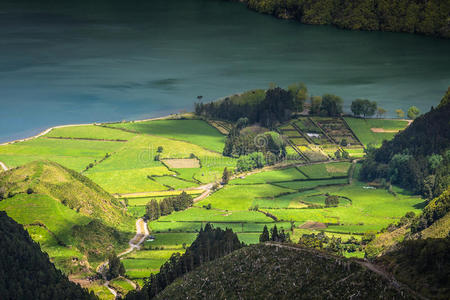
(274, 271)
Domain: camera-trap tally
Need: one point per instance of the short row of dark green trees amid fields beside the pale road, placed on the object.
(154, 209)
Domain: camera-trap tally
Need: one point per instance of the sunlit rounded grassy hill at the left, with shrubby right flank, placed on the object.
(75, 221)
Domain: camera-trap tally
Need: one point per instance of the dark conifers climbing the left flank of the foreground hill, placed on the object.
(211, 243)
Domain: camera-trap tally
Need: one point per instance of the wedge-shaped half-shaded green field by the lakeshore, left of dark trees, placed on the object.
(197, 132)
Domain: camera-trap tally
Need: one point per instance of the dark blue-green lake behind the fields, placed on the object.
(64, 62)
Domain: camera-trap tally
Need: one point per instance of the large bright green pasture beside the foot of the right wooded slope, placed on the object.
(371, 209)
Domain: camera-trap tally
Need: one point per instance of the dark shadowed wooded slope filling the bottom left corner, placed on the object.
(26, 272)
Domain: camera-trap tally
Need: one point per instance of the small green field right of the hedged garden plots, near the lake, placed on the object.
(362, 129)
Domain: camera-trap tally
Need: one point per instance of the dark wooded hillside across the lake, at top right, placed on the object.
(414, 16)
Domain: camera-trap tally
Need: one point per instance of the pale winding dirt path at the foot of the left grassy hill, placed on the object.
(141, 234)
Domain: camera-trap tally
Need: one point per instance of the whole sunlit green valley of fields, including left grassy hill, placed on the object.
(136, 162)
